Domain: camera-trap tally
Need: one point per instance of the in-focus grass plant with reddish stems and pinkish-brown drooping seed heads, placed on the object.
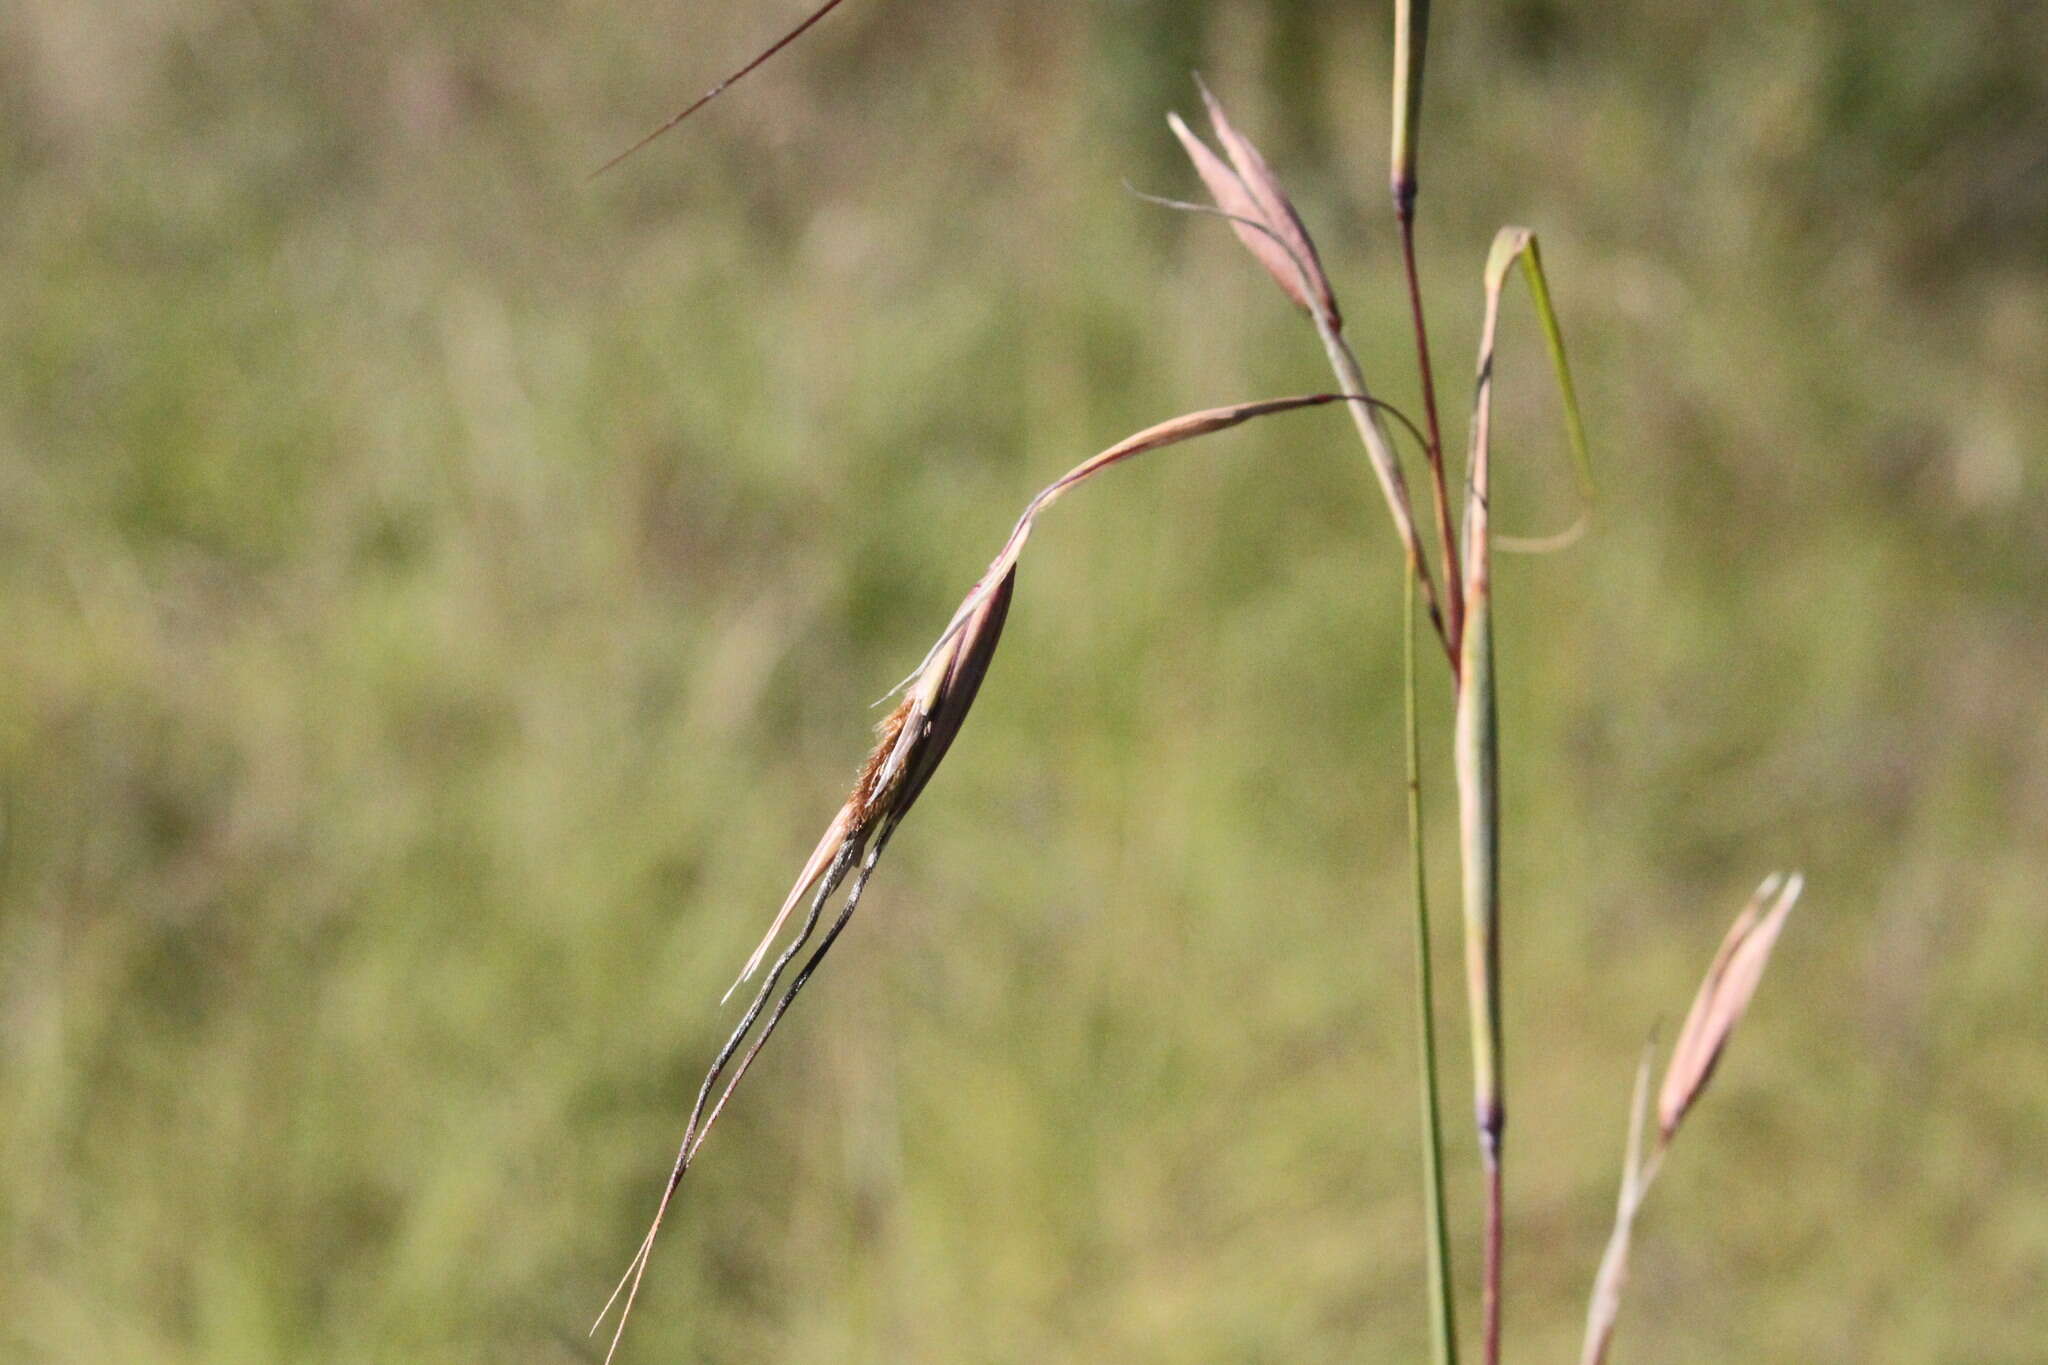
(912, 740)
